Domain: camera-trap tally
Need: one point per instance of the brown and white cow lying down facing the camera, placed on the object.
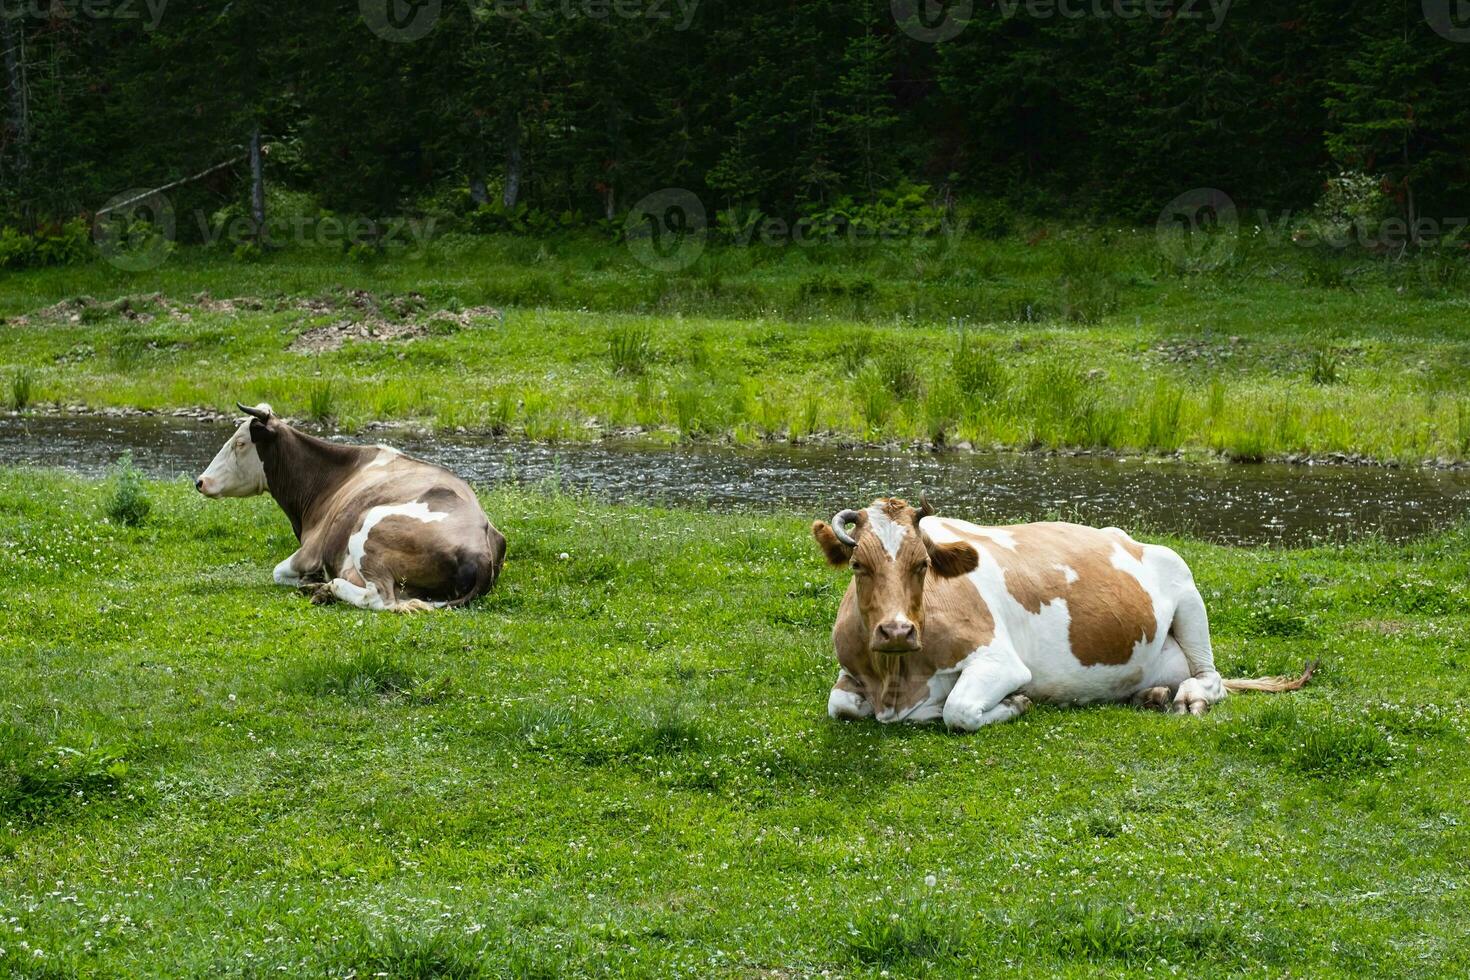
(952, 621)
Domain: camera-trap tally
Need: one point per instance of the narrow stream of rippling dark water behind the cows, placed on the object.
(1216, 502)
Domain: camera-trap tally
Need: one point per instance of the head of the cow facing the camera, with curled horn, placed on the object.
(892, 558)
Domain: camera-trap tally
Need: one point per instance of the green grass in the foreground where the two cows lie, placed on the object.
(620, 765)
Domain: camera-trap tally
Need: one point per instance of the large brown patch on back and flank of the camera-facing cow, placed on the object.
(1111, 612)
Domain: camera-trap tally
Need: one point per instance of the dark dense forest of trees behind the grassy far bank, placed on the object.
(536, 115)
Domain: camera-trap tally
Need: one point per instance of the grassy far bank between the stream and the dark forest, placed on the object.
(1089, 340)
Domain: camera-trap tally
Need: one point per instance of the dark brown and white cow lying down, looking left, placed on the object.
(381, 530)
